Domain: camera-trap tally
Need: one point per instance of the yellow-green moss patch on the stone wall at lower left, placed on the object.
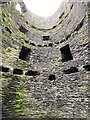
(15, 93)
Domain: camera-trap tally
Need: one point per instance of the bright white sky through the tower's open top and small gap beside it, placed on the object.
(43, 8)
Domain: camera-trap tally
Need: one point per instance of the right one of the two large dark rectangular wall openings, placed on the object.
(66, 53)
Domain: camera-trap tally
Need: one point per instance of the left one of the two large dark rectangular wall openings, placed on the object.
(25, 53)
